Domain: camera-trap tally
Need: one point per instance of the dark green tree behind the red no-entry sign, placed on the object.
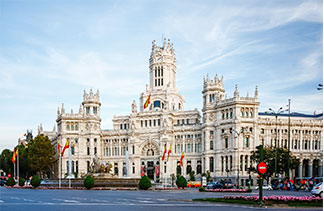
(283, 158)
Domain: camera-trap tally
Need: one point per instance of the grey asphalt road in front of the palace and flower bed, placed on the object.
(92, 200)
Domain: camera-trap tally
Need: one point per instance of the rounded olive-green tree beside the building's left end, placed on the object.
(41, 155)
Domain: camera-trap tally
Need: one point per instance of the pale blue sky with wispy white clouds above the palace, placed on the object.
(50, 51)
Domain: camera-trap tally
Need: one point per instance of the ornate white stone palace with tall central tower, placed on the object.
(220, 141)
